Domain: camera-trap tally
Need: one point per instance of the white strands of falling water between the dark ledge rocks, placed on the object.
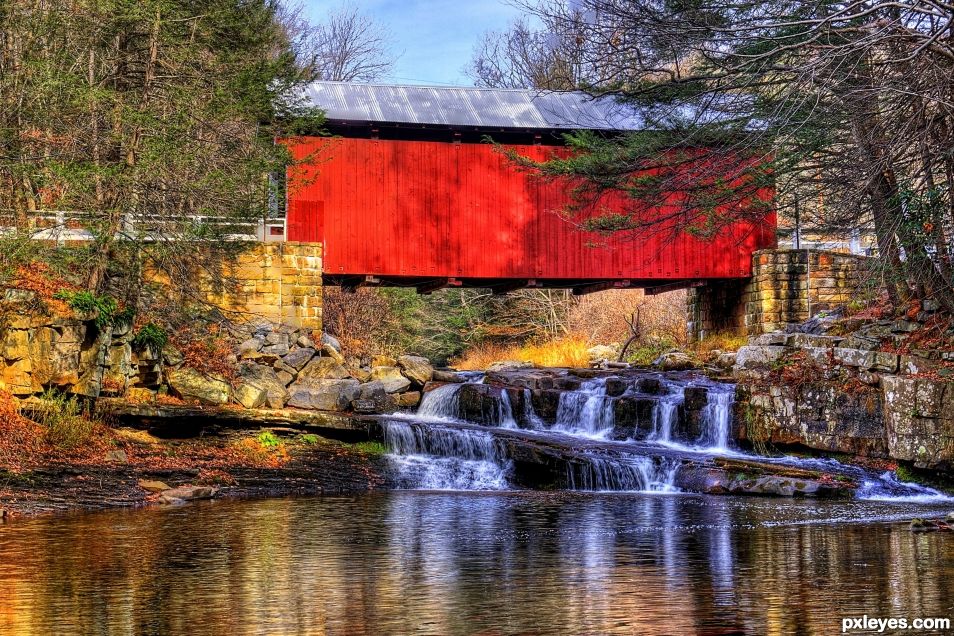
(431, 450)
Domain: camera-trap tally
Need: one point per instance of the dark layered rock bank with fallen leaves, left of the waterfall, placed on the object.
(141, 470)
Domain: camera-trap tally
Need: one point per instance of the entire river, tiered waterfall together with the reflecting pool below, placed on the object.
(466, 547)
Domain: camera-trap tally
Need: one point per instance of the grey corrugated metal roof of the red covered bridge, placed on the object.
(472, 107)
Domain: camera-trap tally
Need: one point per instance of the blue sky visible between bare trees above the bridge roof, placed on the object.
(434, 37)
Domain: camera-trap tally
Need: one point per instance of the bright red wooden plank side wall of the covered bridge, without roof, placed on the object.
(431, 209)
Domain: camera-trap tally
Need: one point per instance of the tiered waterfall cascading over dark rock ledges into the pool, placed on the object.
(437, 449)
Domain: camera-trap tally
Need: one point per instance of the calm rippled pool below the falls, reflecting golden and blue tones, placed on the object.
(470, 563)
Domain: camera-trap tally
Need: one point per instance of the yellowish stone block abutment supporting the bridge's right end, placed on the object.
(787, 287)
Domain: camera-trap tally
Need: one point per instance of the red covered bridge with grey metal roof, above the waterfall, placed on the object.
(408, 193)
